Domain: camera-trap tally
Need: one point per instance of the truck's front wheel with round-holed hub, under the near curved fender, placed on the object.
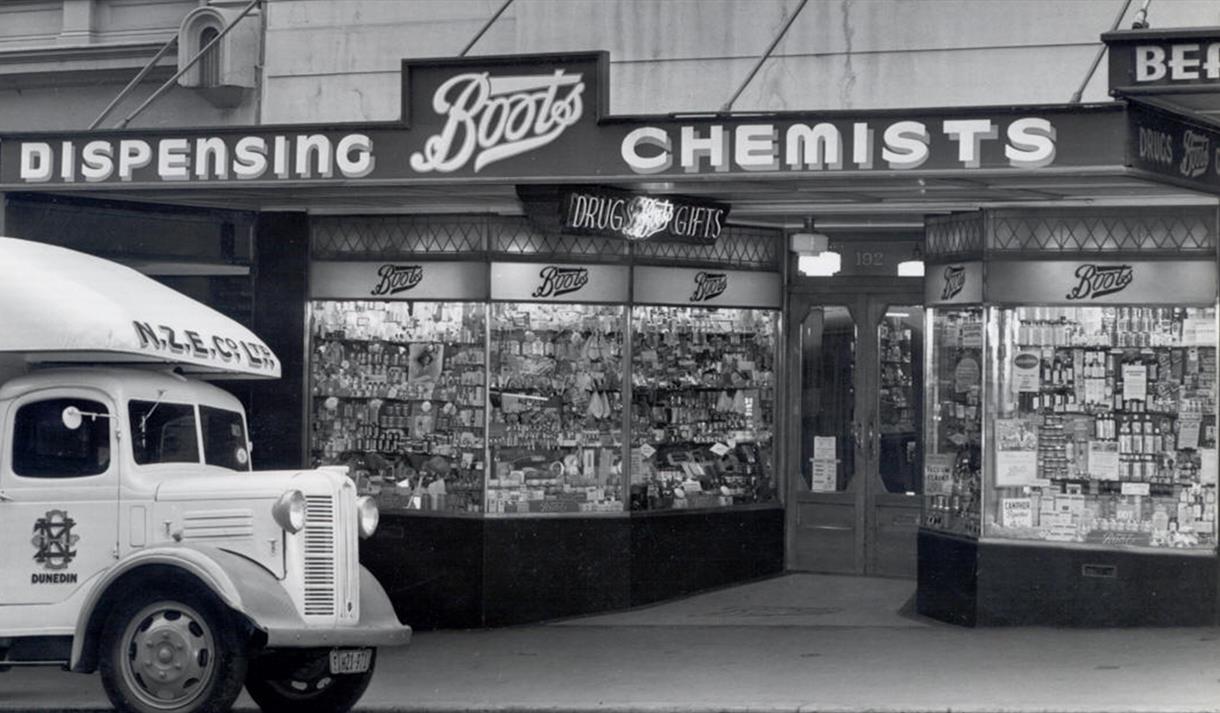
(196, 661)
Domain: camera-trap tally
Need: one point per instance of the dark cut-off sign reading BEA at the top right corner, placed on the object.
(1158, 60)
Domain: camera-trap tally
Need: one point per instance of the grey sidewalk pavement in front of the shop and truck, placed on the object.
(797, 643)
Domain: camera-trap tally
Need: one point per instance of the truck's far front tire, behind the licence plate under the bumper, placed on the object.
(301, 682)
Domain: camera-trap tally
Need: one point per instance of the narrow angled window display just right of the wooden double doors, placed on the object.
(953, 445)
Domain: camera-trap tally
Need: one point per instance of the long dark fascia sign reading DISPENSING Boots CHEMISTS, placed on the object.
(544, 119)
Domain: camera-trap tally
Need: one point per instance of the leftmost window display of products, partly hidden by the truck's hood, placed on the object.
(398, 396)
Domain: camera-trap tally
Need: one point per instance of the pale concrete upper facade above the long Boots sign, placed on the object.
(62, 62)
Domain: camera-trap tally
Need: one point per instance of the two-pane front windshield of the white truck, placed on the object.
(168, 433)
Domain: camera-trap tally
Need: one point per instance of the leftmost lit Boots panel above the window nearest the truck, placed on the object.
(397, 281)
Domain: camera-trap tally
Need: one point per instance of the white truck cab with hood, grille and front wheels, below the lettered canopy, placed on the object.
(138, 541)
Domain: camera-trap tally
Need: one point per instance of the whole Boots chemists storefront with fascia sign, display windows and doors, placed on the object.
(576, 362)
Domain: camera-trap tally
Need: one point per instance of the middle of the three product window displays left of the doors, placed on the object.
(556, 429)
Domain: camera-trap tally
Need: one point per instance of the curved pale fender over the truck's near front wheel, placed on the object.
(241, 584)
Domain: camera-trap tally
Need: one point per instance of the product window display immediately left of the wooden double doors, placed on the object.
(703, 407)
